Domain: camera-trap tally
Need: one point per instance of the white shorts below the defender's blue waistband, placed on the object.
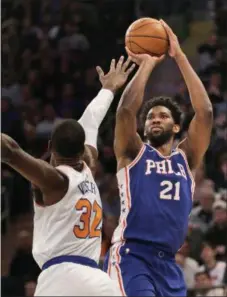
(70, 279)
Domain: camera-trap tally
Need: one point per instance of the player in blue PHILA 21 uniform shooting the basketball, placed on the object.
(155, 181)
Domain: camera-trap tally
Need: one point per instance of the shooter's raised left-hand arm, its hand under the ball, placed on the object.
(127, 142)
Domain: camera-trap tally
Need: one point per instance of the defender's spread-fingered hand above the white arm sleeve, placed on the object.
(117, 75)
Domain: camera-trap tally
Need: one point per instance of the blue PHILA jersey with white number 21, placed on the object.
(156, 199)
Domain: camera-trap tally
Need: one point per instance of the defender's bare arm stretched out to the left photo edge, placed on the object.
(37, 171)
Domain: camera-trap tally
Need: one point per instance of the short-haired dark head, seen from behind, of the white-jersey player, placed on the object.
(68, 138)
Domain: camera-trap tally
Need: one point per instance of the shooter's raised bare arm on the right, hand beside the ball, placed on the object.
(198, 138)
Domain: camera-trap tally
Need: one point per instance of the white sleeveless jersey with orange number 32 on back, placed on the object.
(73, 225)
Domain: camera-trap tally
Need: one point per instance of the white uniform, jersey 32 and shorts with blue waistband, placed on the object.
(67, 241)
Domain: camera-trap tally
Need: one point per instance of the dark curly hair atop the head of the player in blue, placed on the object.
(168, 102)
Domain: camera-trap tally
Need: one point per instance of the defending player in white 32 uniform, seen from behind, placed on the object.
(68, 221)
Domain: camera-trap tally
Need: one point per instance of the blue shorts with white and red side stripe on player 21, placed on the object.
(142, 270)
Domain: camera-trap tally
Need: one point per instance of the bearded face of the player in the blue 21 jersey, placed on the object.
(160, 126)
